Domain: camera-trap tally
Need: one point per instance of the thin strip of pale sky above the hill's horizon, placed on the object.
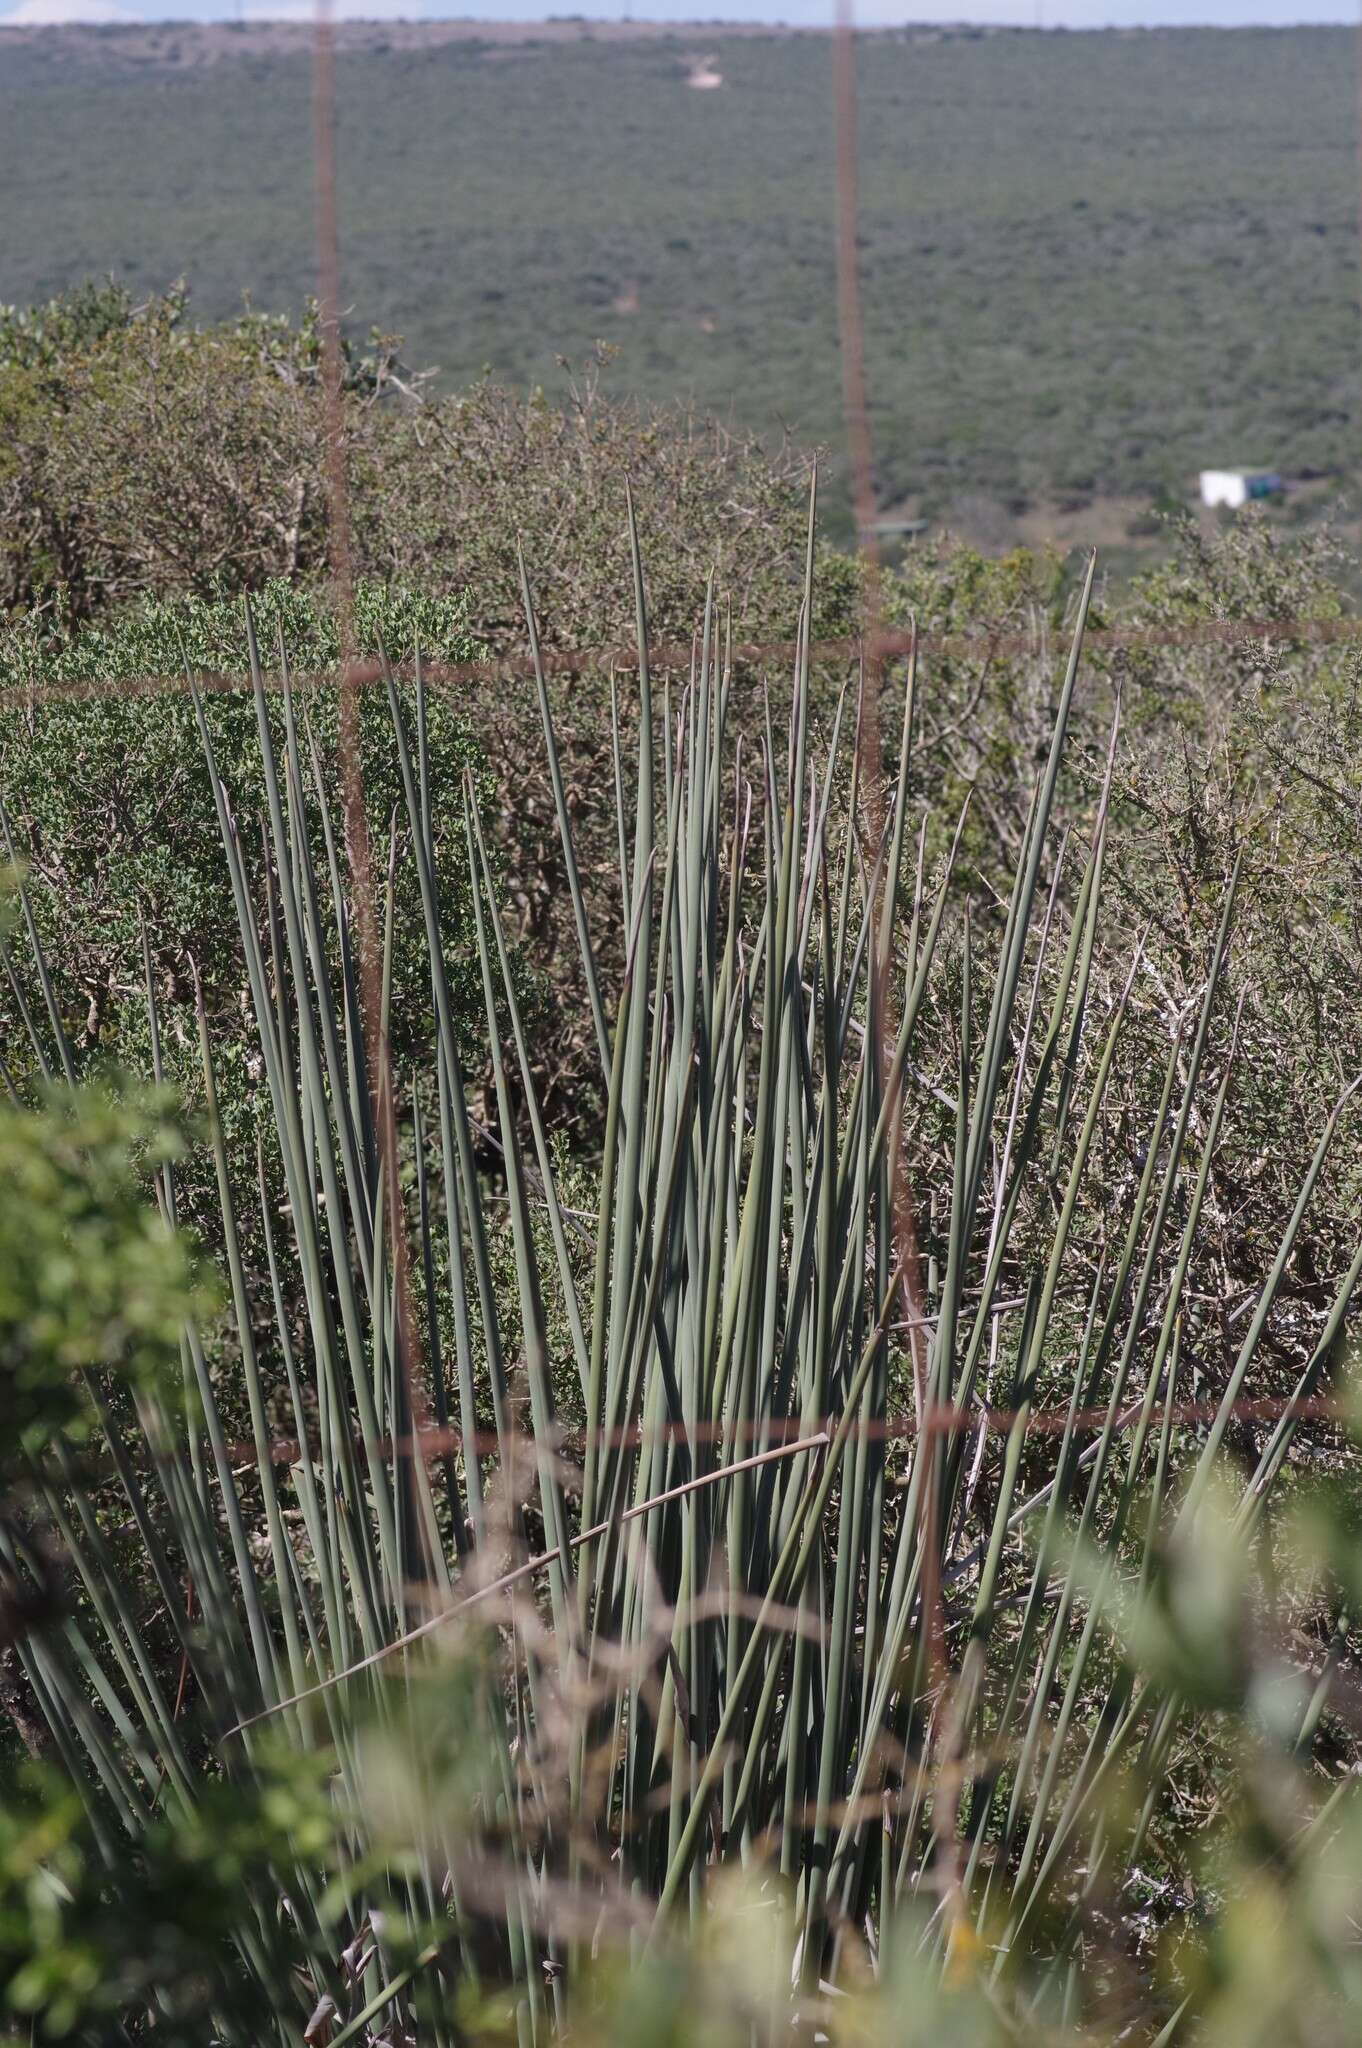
(1011, 13)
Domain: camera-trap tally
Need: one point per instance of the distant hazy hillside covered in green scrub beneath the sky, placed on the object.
(1093, 263)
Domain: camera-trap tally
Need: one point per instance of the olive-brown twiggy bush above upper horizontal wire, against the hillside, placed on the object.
(146, 458)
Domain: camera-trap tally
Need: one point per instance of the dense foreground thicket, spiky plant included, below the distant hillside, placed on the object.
(990, 1734)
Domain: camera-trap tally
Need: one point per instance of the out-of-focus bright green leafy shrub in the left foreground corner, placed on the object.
(99, 1932)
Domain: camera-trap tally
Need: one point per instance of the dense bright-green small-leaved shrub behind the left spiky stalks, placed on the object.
(112, 812)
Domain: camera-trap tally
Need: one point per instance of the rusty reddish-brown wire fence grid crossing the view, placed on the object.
(871, 654)
